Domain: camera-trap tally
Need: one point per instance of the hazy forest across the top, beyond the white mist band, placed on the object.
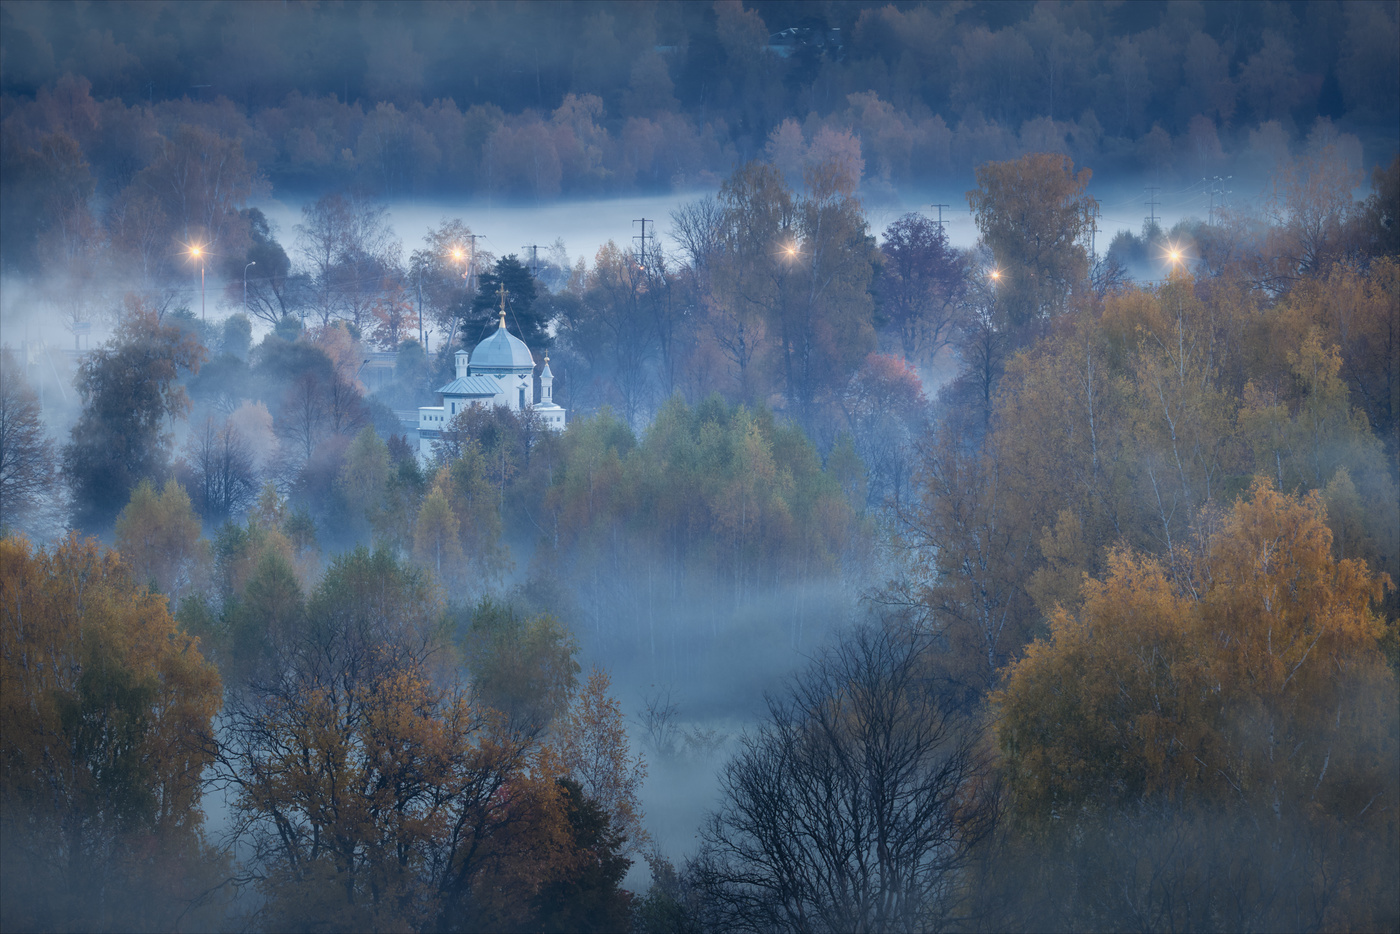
(605, 99)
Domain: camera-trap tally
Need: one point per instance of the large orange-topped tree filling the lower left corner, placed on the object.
(104, 747)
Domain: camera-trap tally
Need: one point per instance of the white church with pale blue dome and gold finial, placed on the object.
(498, 373)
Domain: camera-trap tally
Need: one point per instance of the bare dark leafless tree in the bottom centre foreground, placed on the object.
(855, 806)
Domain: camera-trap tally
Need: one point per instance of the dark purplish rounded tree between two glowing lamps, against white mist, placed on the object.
(920, 285)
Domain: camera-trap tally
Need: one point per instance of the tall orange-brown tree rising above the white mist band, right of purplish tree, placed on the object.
(1034, 214)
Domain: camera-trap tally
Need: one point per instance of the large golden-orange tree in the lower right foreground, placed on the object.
(1251, 685)
